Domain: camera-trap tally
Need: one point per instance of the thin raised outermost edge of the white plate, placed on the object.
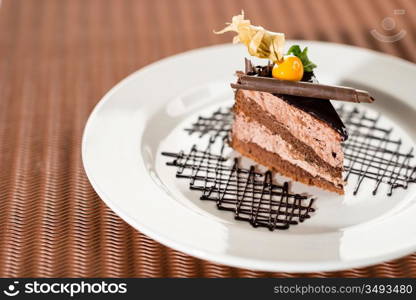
(225, 258)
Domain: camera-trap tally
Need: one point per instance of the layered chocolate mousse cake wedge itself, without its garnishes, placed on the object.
(299, 137)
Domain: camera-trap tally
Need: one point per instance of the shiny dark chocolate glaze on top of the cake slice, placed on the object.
(319, 108)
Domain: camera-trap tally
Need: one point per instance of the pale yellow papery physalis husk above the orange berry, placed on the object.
(260, 42)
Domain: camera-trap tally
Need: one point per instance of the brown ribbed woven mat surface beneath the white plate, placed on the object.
(58, 58)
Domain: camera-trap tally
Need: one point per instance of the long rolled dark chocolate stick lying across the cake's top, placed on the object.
(302, 89)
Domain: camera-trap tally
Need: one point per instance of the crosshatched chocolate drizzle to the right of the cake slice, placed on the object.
(374, 153)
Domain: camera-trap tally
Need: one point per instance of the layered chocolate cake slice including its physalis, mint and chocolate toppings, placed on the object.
(283, 117)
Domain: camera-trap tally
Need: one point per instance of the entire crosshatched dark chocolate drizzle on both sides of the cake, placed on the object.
(372, 153)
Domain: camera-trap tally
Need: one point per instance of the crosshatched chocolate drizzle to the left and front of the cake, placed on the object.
(251, 195)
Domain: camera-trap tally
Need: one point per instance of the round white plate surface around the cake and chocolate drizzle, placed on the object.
(146, 113)
